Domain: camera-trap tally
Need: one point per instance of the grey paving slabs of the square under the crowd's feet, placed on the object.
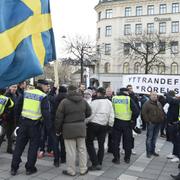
(140, 168)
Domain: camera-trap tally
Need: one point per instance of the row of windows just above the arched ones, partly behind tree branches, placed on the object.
(174, 47)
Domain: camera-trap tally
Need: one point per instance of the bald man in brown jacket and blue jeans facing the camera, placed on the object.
(153, 114)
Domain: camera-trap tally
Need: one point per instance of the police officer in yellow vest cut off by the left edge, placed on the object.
(6, 104)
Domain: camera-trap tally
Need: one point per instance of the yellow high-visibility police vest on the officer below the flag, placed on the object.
(32, 104)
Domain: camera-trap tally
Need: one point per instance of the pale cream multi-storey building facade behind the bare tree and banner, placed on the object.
(124, 19)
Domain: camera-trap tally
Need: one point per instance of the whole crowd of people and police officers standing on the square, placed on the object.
(62, 122)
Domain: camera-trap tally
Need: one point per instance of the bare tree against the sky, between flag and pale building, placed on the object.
(80, 51)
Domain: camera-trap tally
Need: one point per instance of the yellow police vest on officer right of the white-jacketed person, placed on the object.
(121, 105)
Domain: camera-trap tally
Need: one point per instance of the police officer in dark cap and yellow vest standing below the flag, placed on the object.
(35, 108)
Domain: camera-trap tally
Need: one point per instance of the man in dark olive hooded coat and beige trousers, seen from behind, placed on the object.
(70, 121)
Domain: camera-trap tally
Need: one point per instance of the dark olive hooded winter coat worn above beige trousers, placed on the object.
(70, 116)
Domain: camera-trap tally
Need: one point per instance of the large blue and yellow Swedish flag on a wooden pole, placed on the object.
(26, 39)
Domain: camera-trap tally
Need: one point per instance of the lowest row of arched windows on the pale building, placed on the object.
(138, 69)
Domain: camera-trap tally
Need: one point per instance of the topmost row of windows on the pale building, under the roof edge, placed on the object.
(139, 10)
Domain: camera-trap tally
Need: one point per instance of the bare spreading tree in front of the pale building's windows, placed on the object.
(147, 49)
